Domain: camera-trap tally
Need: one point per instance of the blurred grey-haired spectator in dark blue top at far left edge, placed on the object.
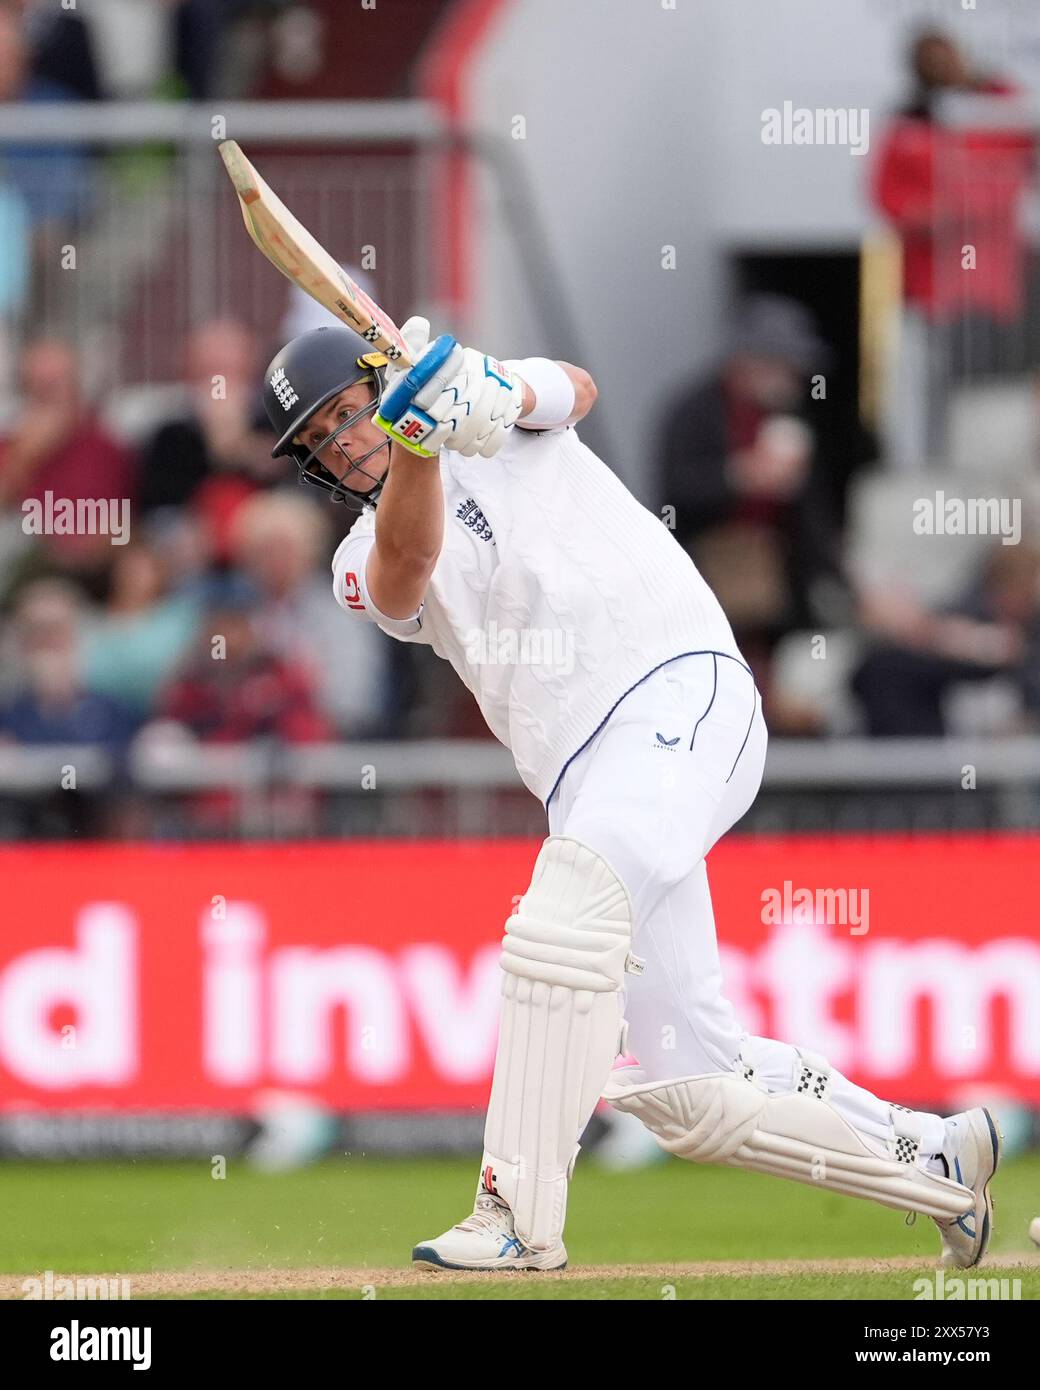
(54, 705)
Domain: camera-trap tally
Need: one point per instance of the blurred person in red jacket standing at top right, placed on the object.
(946, 187)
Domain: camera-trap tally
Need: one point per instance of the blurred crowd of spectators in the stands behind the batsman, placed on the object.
(795, 502)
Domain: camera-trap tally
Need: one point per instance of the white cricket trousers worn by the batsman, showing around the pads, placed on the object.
(679, 762)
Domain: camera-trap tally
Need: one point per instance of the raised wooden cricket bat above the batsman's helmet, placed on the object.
(294, 252)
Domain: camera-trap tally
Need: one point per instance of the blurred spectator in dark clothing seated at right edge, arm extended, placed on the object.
(918, 657)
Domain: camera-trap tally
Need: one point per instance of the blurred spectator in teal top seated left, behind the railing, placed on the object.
(144, 633)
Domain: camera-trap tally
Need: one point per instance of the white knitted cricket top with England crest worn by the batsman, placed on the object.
(554, 596)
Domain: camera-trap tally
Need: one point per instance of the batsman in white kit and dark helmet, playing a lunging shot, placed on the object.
(642, 732)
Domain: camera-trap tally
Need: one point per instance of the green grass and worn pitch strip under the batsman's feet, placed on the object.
(346, 1228)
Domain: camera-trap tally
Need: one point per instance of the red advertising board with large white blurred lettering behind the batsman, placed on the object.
(366, 974)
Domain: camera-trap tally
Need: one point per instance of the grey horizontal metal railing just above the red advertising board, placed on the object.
(469, 787)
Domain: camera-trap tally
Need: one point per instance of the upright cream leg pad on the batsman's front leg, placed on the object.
(564, 961)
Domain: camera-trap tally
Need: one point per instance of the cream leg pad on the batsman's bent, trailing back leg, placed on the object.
(725, 1118)
